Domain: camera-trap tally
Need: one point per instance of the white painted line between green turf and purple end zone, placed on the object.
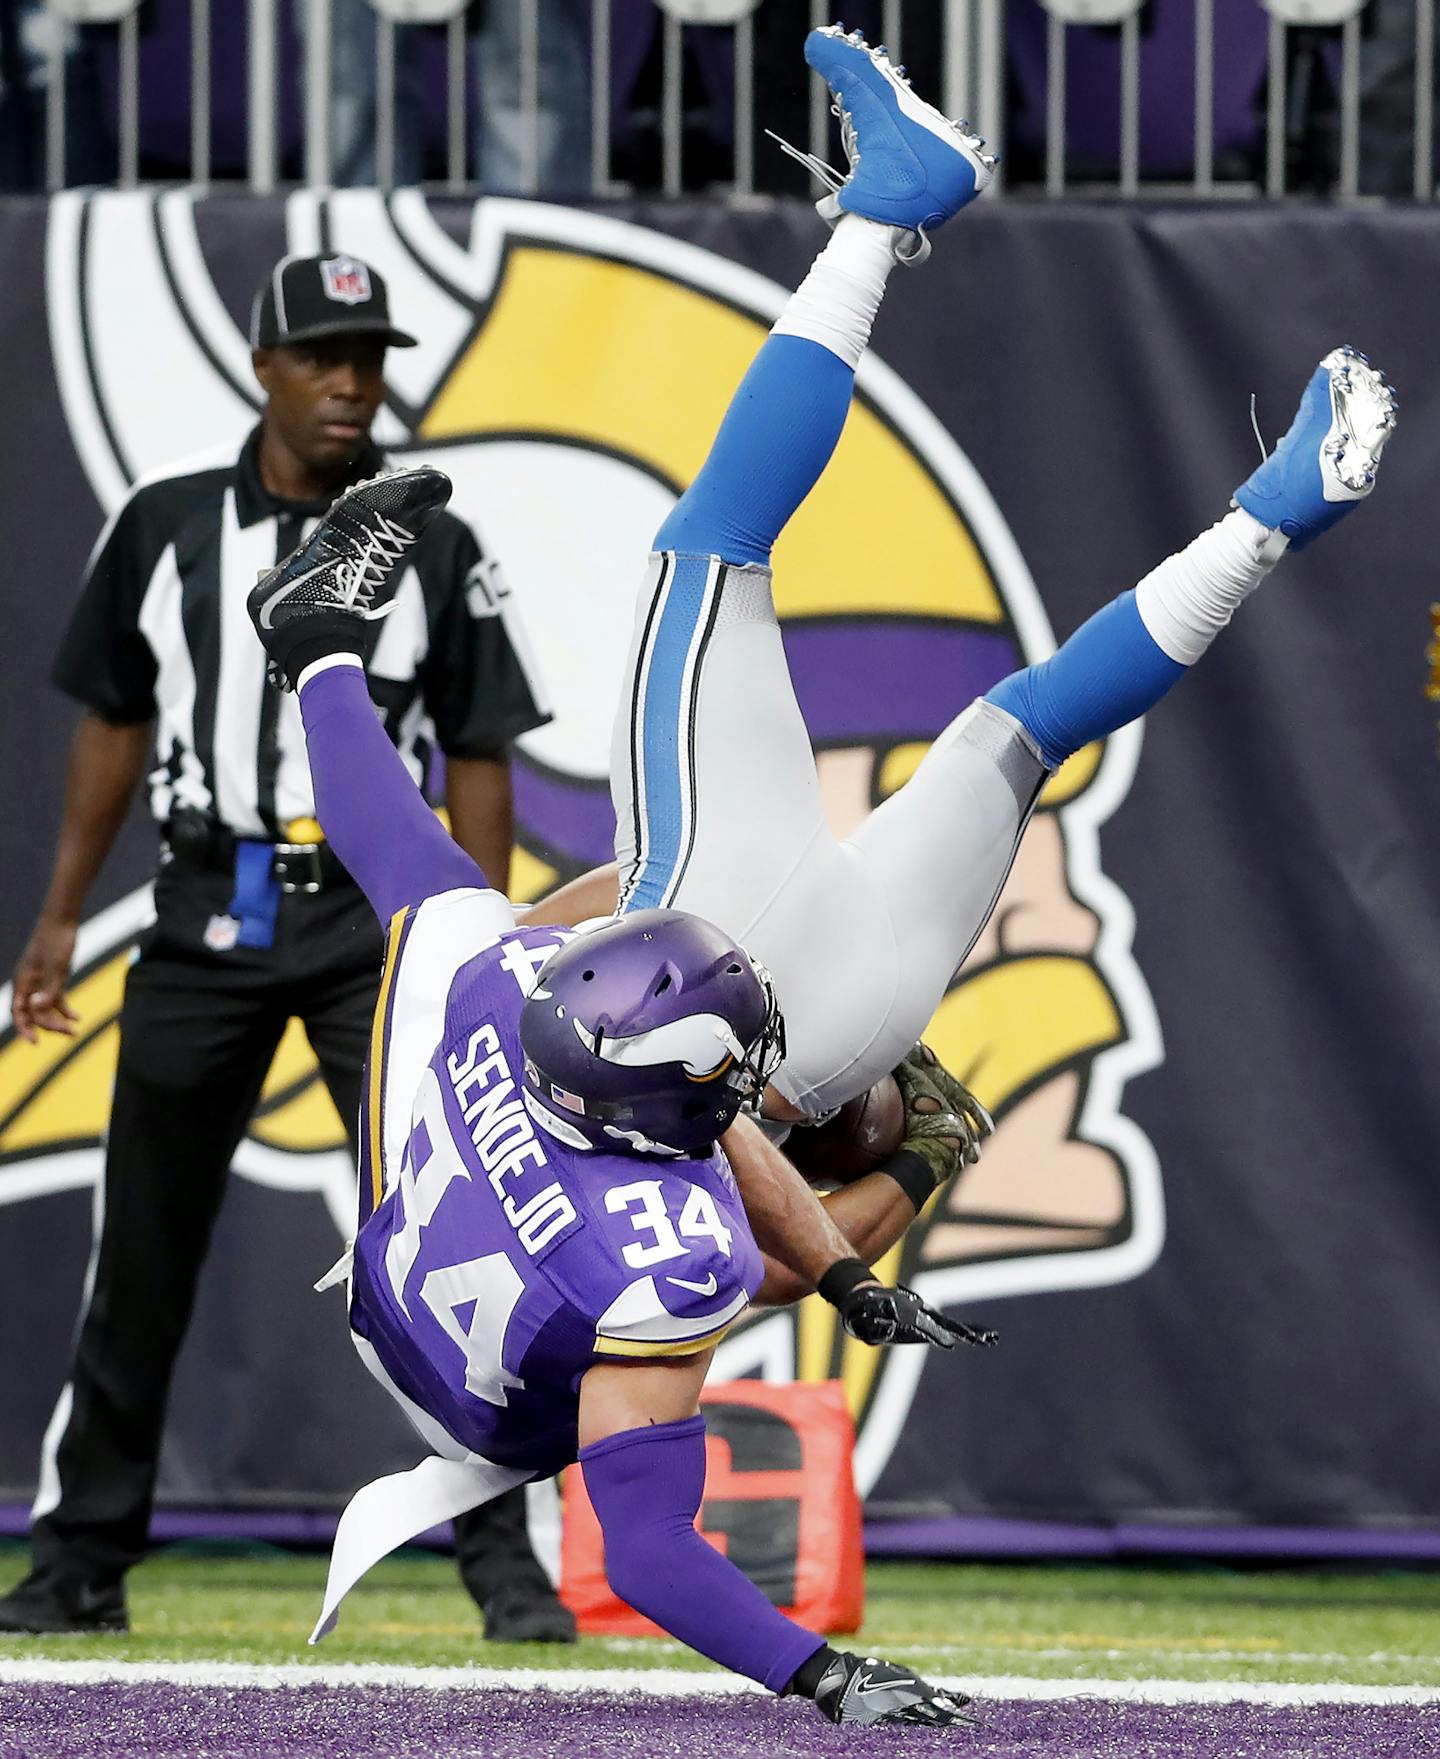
(674, 1682)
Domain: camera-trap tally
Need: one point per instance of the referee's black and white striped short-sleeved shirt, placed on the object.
(163, 632)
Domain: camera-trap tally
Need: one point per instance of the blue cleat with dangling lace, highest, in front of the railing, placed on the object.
(910, 166)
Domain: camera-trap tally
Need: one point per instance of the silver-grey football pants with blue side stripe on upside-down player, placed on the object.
(718, 812)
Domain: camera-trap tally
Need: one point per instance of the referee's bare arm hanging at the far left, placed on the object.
(106, 766)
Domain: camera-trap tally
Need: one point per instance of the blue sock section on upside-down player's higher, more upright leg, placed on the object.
(771, 449)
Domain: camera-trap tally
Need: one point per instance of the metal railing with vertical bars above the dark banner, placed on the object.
(975, 61)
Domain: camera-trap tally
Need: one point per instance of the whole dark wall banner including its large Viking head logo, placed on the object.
(1200, 1250)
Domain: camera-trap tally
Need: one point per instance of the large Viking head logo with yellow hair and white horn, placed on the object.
(571, 374)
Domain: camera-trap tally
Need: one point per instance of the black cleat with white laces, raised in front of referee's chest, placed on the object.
(330, 592)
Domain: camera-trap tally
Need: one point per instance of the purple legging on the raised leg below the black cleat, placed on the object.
(374, 815)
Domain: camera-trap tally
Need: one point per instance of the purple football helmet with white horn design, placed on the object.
(650, 1035)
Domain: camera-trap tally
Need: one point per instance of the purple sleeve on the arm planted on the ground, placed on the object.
(646, 1487)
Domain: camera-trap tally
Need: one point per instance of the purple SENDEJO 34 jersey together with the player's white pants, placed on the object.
(502, 1264)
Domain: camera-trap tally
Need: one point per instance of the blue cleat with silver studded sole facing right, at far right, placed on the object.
(1328, 460)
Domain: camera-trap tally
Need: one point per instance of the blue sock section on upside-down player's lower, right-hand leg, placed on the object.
(1105, 676)
